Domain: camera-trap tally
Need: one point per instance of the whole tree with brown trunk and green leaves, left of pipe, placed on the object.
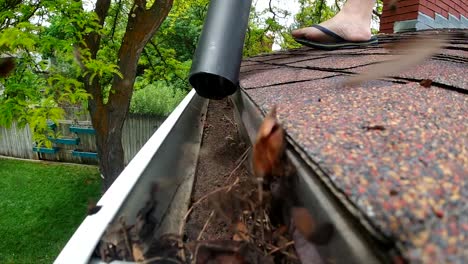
(67, 54)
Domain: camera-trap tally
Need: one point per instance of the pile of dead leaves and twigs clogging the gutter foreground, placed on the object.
(267, 222)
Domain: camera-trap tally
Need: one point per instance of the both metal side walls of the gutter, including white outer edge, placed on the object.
(169, 158)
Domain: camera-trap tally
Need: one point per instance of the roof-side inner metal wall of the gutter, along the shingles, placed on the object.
(355, 241)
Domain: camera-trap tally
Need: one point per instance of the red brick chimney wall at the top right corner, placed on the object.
(408, 9)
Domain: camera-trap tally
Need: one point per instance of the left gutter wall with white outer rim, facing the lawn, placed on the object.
(168, 158)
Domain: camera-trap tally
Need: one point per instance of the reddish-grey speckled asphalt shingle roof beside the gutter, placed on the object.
(398, 150)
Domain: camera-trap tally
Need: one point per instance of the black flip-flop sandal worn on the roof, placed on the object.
(339, 41)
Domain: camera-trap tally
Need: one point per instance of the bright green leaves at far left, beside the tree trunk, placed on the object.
(38, 86)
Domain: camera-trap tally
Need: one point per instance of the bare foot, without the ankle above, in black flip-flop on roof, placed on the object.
(349, 27)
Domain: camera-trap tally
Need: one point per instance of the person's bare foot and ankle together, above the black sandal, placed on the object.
(351, 23)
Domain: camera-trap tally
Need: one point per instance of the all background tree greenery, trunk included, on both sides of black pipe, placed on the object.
(96, 53)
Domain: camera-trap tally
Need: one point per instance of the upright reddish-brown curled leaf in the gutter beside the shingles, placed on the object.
(269, 146)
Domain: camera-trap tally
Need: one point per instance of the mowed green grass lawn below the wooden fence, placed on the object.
(41, 205)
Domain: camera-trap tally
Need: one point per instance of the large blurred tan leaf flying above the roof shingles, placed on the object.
(412, 52)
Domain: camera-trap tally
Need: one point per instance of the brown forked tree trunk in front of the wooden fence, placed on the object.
(108, 118)
